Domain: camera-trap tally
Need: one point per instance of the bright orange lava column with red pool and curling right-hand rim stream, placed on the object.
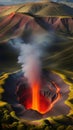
(41, 103)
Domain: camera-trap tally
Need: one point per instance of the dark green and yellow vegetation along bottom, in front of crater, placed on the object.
(9, 121)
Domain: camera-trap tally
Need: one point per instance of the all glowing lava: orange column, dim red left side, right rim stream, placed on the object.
(36, 101)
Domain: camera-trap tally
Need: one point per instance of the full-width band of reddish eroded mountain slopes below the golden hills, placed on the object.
(17, 24)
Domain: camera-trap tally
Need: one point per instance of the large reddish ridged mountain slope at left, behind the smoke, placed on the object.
(17, 24)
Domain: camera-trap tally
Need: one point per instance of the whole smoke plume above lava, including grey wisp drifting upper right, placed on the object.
(31, 56)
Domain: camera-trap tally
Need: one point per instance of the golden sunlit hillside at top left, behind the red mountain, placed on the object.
(23, 8)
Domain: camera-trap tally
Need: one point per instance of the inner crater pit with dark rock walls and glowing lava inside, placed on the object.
(40, 98)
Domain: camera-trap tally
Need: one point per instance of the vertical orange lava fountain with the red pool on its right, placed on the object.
(39, 102)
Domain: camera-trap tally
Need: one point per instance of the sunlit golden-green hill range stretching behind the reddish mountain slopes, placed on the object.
(39, 8)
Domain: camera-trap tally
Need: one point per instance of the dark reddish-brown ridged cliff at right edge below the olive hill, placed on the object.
(61, 24)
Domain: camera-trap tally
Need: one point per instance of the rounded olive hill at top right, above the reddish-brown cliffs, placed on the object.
(55, 9)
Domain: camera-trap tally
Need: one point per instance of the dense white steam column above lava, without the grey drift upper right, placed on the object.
(31, 64)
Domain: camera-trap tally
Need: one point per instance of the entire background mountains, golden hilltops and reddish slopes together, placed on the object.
(27, 19)
